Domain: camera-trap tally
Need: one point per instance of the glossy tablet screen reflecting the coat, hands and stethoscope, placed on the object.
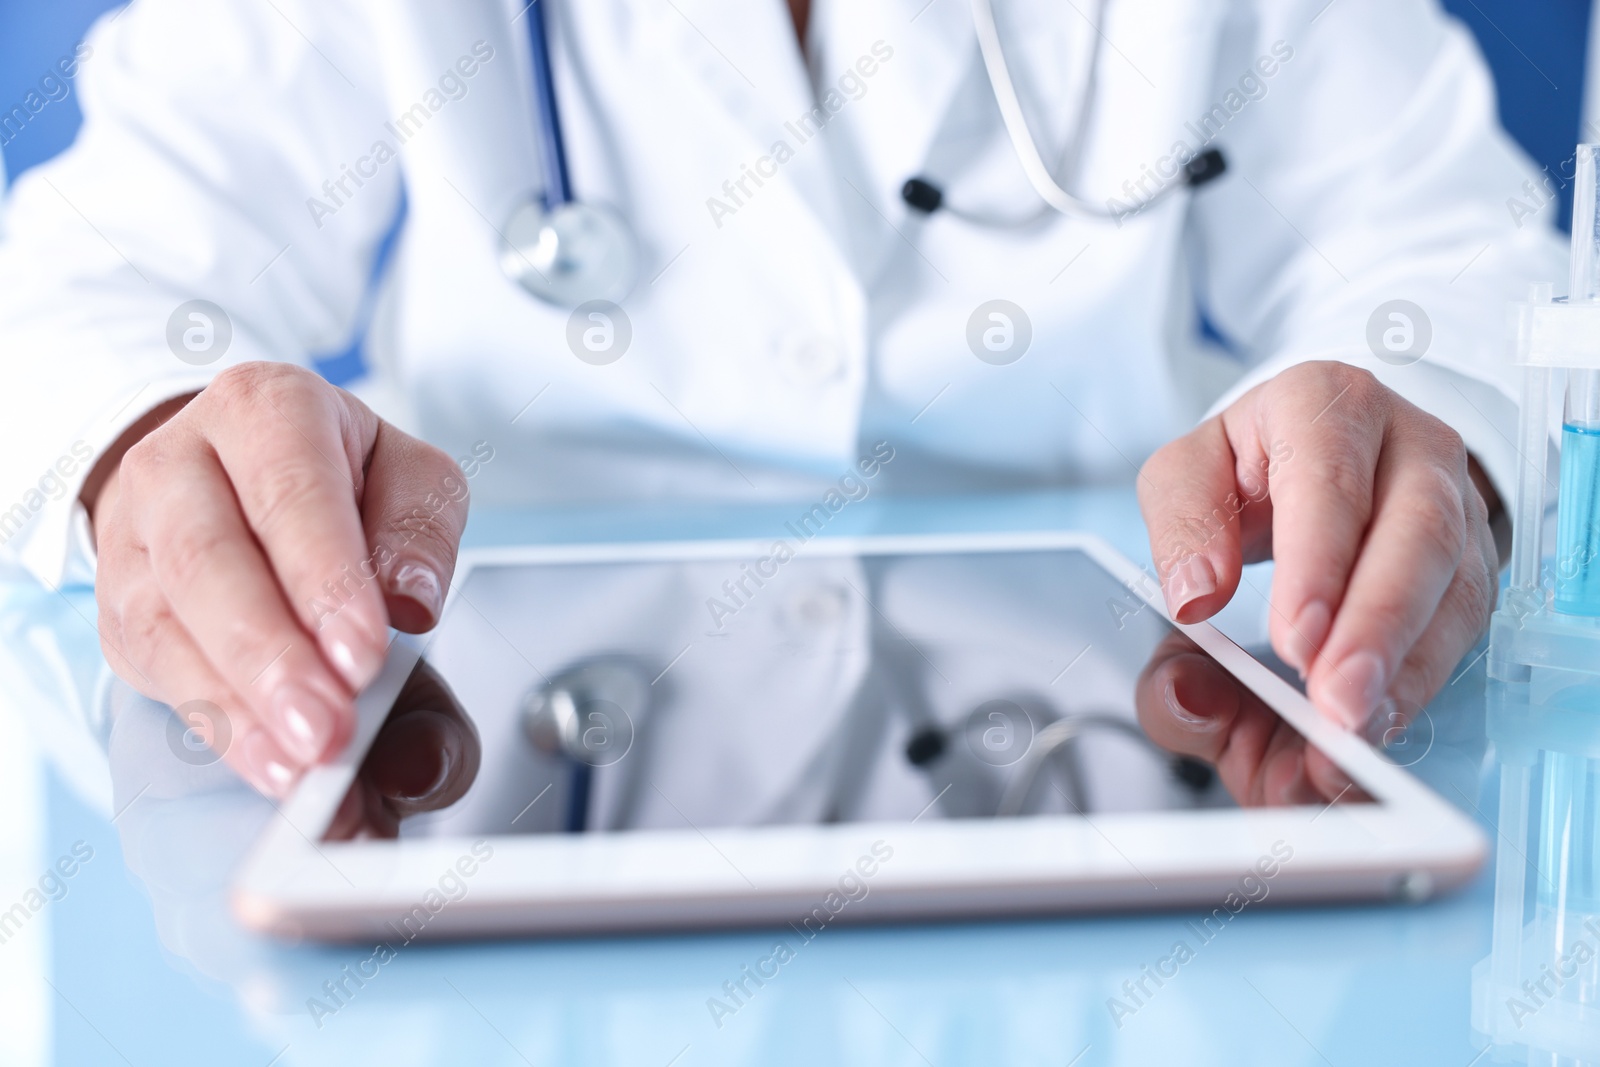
(793, 689)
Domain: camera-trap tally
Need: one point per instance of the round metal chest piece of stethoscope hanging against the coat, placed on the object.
(570, 255)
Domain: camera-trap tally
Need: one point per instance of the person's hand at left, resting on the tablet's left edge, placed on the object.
(254, 551)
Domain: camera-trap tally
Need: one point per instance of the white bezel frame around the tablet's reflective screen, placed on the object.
(1409, 844)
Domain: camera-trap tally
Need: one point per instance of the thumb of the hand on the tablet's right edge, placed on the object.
(1191, 505)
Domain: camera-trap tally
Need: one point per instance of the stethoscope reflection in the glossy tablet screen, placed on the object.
(585, 716)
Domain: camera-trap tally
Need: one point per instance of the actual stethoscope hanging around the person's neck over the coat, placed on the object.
(567, 252)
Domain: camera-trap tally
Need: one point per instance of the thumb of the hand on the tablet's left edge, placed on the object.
(414, 508)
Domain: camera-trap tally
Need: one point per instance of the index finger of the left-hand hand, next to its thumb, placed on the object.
(295, 452)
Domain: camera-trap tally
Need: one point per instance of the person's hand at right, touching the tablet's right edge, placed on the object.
(1386, 569)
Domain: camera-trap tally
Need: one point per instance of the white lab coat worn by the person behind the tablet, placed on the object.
(770, 343)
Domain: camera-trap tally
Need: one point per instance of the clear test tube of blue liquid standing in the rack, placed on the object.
(1578, 510)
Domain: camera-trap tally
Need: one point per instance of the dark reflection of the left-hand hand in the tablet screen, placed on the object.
(425, 759)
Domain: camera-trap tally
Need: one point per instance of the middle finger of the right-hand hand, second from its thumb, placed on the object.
(1409, 561)
